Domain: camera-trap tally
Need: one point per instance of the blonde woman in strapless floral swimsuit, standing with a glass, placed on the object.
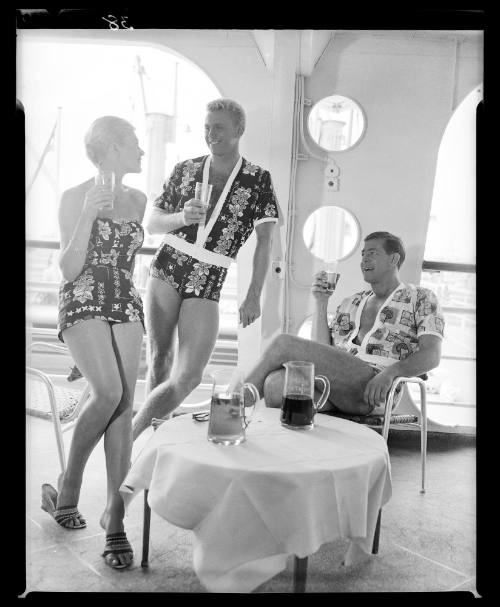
(101, 320)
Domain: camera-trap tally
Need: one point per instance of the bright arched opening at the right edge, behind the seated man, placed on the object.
(449, 263)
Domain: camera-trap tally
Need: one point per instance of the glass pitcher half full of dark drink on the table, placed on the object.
(297, 406)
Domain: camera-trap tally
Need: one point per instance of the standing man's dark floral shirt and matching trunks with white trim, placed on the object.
(194, 259)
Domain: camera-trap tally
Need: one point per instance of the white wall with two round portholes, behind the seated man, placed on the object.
(408, 89)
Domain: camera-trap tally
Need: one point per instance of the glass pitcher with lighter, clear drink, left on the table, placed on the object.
(228, 414)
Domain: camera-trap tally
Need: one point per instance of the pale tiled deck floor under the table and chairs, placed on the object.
(427, 541)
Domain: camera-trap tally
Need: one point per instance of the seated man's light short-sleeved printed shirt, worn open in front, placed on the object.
(408, 313)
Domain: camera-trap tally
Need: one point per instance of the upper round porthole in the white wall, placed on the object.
(336, 123)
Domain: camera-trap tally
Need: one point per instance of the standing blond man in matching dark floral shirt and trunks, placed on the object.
(188, 271)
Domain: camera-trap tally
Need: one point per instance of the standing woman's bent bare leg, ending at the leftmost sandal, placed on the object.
(91, 347)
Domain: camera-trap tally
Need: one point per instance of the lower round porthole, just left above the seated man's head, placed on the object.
(331, 233)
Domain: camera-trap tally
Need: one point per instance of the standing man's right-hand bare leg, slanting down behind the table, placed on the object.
(198, 328)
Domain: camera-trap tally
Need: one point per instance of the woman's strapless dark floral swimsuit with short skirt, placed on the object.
(104, 288)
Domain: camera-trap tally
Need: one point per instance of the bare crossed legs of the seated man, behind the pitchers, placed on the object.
(348, 374)
